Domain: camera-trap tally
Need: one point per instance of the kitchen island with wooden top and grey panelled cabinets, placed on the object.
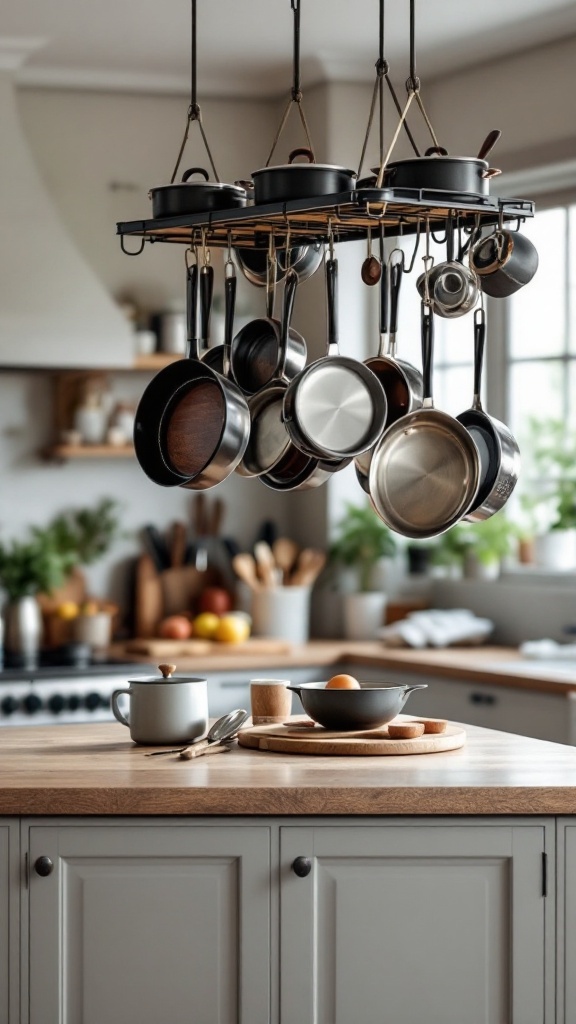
(261, 888)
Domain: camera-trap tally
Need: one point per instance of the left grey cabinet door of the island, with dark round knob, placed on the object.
(152, 924)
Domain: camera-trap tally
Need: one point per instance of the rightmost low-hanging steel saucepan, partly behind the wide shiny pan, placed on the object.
(500, 454)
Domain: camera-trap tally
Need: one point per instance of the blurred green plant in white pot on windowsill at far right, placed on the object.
(550, 496)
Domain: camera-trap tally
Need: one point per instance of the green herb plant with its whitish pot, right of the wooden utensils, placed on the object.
(360, 542)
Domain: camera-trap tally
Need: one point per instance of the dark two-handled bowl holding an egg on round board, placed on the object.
(353, 710)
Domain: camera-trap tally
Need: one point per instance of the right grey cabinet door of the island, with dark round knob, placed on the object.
(414, 923)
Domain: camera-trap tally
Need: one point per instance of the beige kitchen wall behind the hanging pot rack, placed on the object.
(87, 142)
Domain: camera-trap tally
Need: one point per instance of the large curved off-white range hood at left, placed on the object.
(54, 310)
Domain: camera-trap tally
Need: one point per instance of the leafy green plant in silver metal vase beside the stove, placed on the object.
(42, 564)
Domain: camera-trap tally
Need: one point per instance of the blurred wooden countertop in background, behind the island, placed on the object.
(471, 664)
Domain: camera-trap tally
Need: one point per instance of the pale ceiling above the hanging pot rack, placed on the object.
(245, 47)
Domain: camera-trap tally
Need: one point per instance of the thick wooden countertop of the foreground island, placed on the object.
(96, 770)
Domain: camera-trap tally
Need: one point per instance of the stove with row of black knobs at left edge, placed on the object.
(51, 695)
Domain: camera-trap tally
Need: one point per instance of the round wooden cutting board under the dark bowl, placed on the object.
(292, 740)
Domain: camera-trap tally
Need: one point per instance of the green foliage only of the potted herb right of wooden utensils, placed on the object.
(361, 540)
